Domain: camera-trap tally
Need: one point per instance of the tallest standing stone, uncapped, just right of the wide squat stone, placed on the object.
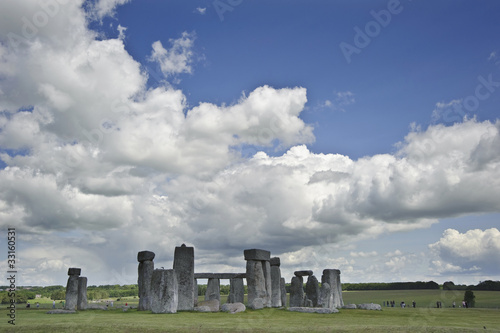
(184, 268)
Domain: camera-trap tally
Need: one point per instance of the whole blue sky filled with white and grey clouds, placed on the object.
(359, 135)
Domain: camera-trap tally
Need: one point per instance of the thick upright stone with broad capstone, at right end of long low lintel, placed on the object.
(257, 273)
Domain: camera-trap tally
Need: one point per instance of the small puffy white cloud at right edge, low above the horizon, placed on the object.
(473, 251)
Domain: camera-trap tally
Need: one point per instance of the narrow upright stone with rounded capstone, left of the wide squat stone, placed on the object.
(145, 272)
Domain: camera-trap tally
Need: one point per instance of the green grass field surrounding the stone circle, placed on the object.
(424, 318)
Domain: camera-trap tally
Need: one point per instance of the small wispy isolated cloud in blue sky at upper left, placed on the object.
(176, 60)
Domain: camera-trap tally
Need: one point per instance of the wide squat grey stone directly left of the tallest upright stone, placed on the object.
(164, 290)
